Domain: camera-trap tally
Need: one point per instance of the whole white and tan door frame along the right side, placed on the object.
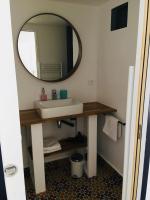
(130, 185)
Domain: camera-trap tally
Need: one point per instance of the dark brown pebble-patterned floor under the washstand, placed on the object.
(61, 186)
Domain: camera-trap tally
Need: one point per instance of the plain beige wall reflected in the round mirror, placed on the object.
(48, 39)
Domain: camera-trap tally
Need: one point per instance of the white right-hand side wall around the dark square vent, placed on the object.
(117, 53)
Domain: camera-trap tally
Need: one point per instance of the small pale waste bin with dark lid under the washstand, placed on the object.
(77, 165)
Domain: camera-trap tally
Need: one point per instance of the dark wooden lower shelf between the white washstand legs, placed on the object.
(68, 144)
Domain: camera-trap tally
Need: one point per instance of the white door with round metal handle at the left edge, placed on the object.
(10, 135)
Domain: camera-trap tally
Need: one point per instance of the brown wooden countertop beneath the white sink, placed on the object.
(28, 117)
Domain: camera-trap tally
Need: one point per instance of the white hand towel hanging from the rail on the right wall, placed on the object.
(111, 127)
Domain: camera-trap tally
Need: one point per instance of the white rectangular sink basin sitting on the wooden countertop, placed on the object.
(58, 108)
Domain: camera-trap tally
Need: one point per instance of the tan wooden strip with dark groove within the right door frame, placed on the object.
(139, 125)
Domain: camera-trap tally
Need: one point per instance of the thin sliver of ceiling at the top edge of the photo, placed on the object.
(84, 2)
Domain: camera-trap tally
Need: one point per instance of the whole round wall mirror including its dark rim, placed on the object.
(49, 47)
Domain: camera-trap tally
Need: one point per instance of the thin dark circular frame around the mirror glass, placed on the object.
(79, 54)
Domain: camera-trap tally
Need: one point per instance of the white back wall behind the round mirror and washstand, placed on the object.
(79, 85)
